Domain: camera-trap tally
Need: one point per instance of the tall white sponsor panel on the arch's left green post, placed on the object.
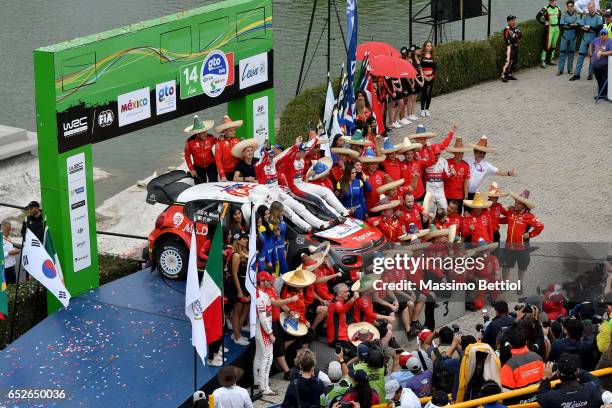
(79, 217)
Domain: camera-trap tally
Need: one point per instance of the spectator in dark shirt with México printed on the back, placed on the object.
(578, 388)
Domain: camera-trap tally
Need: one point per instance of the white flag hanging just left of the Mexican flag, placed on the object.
(193, 303)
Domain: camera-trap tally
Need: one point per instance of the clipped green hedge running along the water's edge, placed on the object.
(460, 65)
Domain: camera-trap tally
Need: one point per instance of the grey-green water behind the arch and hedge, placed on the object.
(25, 26)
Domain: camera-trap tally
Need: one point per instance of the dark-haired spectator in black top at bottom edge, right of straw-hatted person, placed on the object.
(304, 391)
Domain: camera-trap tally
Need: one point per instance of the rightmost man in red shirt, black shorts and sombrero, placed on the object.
(522, 225)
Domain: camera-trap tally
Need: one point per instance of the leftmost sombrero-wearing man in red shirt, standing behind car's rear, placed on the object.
(198, 151)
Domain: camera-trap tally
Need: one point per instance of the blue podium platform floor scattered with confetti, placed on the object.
(125, 344)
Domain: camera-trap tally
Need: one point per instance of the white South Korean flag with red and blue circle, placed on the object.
(37, 262)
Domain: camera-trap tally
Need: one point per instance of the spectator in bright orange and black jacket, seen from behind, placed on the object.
(524, 367)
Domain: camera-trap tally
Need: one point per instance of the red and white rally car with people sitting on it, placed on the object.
(352, 242)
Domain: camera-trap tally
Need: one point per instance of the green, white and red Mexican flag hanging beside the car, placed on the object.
(210, 292)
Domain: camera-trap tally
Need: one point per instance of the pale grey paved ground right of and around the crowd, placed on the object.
(556, 137)
